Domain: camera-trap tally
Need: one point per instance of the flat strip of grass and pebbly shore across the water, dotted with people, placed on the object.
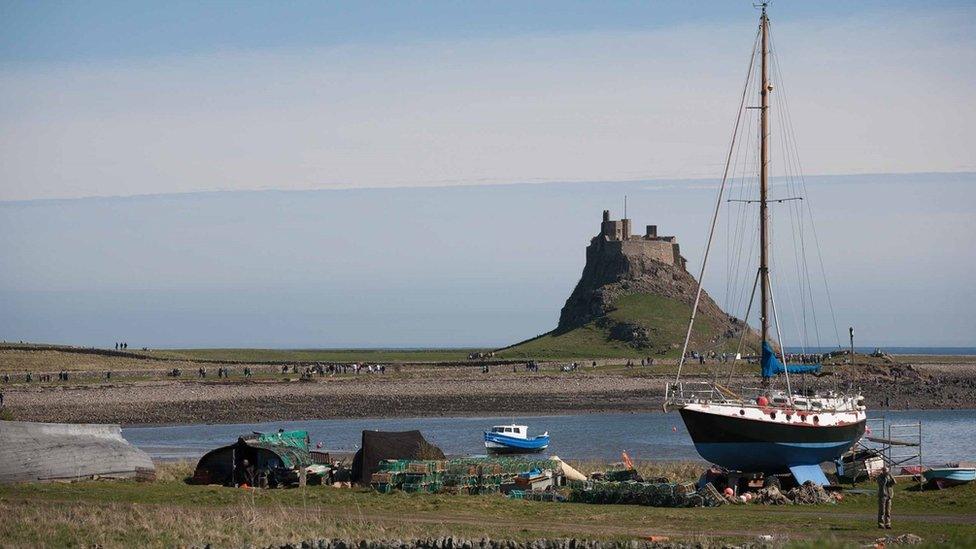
(140, 388)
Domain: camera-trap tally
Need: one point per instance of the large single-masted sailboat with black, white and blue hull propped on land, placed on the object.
(765, 430)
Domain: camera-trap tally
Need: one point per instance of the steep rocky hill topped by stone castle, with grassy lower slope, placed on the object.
(634, 299)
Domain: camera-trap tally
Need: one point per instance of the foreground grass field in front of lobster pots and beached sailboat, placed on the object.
(168, 512)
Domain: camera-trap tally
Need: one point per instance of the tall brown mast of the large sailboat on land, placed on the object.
(763, 176)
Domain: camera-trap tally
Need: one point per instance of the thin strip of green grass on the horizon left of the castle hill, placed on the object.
(312, 355)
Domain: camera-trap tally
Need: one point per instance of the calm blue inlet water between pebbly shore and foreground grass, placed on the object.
(946, 435)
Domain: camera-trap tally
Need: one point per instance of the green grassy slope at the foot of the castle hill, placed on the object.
(667, 318)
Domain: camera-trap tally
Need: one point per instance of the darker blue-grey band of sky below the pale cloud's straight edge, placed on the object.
(468, 266)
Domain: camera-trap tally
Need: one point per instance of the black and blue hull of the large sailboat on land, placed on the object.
(756, 446)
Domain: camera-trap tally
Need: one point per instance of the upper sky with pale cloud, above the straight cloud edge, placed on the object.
(125, 98)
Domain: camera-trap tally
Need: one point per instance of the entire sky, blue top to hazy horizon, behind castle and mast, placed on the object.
(362, 174)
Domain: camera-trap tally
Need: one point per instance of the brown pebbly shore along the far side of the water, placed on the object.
(176, 403)
